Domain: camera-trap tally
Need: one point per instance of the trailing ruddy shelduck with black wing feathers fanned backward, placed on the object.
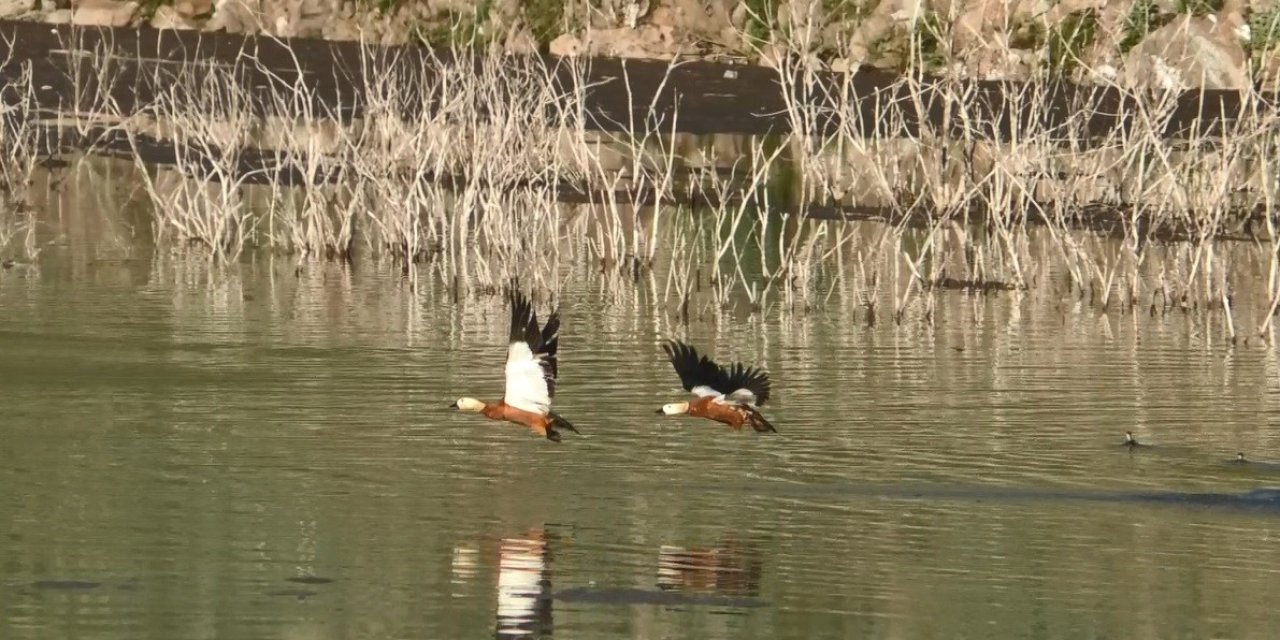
(725, 395)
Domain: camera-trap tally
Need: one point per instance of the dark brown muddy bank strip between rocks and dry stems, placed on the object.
(134, 67)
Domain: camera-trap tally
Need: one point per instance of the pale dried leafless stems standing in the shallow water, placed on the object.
(470, 194)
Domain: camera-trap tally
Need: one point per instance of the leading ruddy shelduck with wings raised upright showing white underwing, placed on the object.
(531, 376)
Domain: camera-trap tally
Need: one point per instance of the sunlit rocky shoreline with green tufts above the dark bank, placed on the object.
(1139, 44)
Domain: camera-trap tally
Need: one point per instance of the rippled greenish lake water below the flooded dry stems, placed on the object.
(266, 452)
